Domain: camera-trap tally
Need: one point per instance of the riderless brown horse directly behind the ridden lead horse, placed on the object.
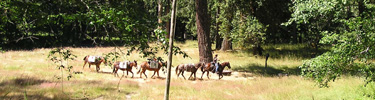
(189, 68)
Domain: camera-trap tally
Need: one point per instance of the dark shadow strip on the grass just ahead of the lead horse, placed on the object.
(269, 71)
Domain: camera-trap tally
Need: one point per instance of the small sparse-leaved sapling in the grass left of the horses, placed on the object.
(60, 56)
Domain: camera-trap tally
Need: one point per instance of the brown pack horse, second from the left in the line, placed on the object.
(129, 67)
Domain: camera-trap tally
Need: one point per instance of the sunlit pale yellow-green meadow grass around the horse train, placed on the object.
(29, 74)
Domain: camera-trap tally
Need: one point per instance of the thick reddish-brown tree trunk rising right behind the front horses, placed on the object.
(203, 30)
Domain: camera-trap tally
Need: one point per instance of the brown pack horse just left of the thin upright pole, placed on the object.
(145, 66)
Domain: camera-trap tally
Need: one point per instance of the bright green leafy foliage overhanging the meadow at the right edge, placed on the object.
(352, 42)
